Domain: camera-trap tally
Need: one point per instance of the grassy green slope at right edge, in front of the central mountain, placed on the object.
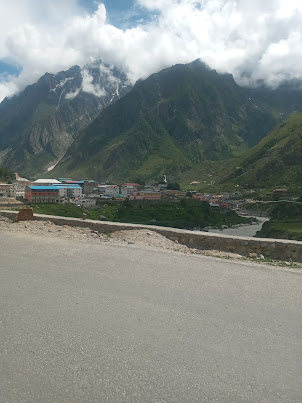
(275, 161)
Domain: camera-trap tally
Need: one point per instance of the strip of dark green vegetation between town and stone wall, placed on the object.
(186, 214)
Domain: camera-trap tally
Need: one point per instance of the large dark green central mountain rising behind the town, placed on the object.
(172, 122)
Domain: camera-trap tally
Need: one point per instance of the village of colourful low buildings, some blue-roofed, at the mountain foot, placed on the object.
(88, 193)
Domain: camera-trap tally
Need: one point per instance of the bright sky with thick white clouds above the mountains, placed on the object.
(253, 40)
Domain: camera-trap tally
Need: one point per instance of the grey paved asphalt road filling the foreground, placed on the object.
(86, 322)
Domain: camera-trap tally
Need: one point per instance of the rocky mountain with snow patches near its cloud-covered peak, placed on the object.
(38, 125)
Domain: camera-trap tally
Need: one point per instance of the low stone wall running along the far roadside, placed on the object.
(277, 249)
